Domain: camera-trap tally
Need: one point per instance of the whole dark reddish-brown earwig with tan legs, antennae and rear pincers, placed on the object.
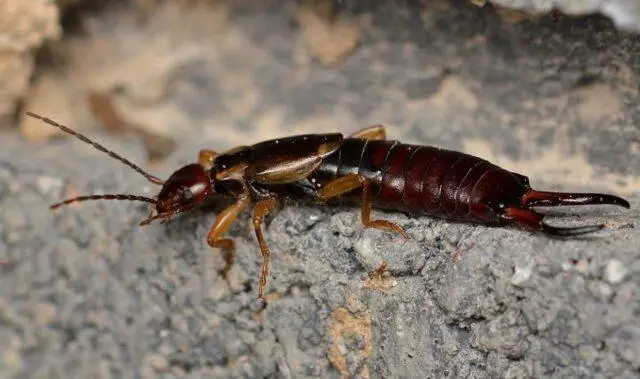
(364, 168)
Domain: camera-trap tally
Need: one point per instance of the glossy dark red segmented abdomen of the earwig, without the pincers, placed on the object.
(423, 179)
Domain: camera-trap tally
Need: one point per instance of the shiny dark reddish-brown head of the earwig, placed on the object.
(185, 189)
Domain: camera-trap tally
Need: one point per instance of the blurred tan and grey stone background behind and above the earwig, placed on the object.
(549, 95)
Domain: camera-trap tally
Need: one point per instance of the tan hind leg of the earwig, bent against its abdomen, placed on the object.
(350, 182)
